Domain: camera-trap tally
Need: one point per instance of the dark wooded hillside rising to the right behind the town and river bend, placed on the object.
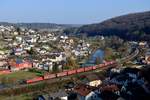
(133, 26)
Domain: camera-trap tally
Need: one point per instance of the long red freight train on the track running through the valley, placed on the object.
(105, 65)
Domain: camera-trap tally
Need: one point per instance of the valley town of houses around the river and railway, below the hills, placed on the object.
(89, 68)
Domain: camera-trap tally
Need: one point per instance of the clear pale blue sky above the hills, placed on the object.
(68, 11)
